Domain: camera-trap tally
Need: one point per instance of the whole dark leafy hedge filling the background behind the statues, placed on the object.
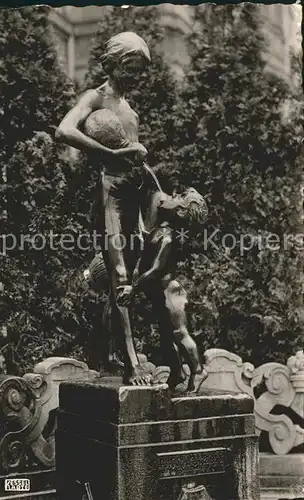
(234, 133)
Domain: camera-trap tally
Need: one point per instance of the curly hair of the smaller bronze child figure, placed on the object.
(193, 207)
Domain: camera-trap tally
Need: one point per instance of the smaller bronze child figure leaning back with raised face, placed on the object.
(156, 277)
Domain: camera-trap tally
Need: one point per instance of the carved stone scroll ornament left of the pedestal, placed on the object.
(27, 416)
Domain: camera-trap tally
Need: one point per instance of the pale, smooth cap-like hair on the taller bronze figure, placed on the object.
(123, 45)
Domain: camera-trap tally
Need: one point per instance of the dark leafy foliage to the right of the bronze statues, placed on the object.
(239, 142)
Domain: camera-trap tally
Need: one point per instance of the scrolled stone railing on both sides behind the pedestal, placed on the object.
(28, 404)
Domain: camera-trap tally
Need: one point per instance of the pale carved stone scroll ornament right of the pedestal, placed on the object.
(277, 390)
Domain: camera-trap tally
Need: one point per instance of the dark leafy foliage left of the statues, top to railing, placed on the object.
(41, 319)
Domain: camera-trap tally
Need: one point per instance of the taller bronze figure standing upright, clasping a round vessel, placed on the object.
(126, 57)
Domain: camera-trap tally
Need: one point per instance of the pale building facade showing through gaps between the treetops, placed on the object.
(74, 30)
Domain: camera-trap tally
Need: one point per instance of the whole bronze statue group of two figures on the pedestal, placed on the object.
(103, 124)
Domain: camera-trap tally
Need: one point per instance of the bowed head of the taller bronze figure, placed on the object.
(126, 57)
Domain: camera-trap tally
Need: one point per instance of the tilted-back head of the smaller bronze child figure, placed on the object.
(187, 208)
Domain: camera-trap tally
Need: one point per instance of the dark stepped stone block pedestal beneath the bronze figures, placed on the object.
(140, 443)
